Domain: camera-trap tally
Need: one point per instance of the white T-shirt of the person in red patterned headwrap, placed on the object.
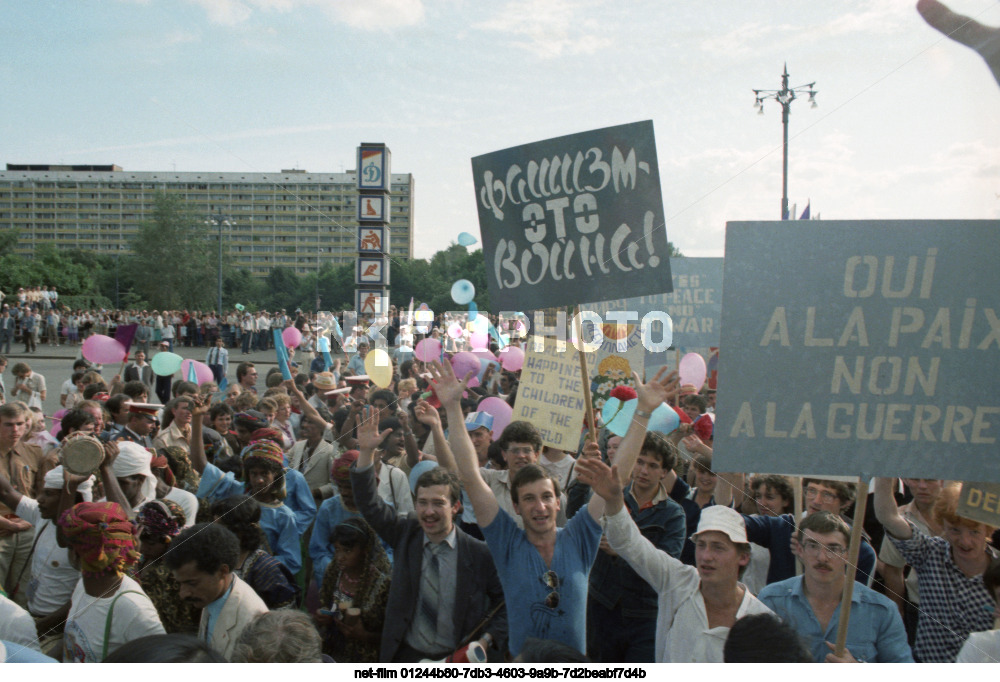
(134, 617)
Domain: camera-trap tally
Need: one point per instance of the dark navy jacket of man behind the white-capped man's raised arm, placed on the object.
(614, 583)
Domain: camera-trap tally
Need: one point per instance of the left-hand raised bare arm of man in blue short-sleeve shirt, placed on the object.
(449, 391)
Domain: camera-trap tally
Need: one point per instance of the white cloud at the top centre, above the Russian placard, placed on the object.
(548, 28)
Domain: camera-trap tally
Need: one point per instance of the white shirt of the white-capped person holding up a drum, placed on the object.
(53, 577)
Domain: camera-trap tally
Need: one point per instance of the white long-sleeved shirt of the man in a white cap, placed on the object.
(682, 632)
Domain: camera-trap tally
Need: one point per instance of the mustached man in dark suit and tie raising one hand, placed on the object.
(445, 589)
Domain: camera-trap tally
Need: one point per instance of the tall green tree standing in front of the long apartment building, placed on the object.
(173, 265)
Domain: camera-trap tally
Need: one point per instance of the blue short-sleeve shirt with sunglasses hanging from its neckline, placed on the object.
(527, 582)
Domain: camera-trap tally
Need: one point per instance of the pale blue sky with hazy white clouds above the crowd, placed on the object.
(906, 127)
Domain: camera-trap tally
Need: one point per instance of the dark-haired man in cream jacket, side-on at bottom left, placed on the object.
(202, 559)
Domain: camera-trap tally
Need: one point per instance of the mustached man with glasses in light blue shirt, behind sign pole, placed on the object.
(810, 603)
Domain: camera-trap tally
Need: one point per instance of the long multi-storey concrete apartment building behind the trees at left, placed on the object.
(294, 219)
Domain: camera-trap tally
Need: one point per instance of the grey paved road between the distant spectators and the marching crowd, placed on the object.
(56, 365)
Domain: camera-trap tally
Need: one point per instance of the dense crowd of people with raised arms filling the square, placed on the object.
(325, 518)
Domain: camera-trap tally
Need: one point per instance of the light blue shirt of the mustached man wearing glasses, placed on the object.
(875, 632)
